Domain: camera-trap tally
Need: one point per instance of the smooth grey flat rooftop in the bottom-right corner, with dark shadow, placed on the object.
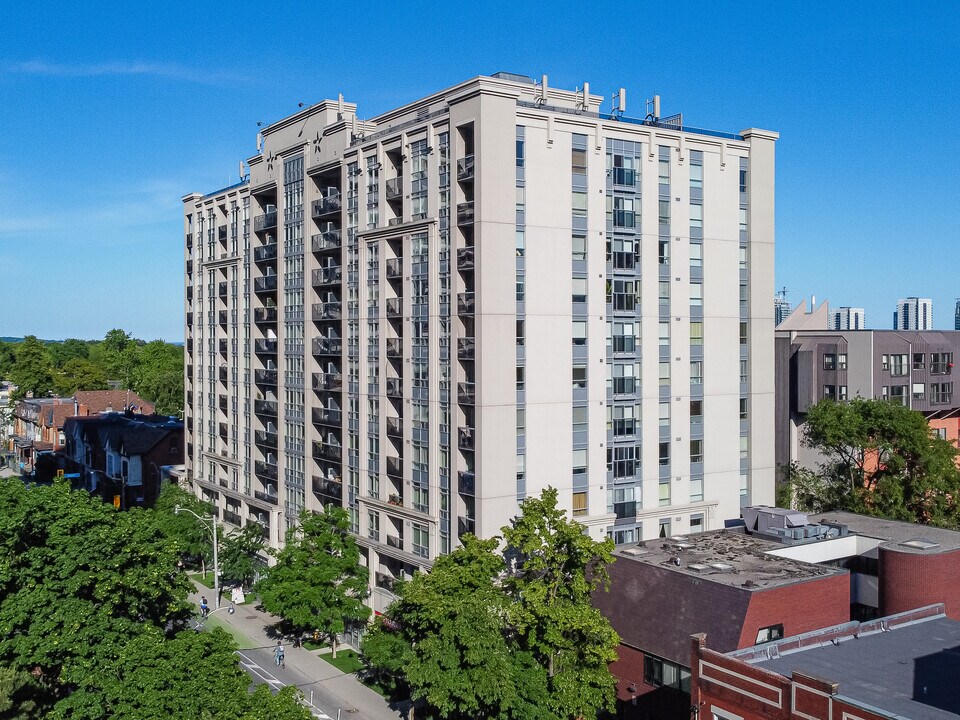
(911, 671)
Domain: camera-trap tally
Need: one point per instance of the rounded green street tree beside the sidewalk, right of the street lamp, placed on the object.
(318, 582)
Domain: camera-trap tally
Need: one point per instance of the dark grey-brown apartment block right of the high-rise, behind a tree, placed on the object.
(908, 366)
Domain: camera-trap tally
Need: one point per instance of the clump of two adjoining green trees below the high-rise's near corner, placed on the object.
(505, 633)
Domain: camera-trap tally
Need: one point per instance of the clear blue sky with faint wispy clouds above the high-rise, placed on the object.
(110, 115)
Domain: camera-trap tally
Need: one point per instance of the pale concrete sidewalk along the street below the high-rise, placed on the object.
(344, 690)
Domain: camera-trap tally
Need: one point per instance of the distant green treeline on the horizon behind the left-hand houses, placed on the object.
(154, 370)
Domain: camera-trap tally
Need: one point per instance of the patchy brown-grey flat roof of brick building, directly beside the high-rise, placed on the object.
(728, 557)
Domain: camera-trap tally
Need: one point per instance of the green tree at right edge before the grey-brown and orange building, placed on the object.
(881, 458)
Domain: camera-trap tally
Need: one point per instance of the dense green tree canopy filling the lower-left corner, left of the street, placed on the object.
(92, 619)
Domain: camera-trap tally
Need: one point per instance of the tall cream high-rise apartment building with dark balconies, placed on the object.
(428, 316)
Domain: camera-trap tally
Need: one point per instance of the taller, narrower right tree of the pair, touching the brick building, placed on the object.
(555, 568)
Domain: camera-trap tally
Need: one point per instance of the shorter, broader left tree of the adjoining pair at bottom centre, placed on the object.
(451, 642)
